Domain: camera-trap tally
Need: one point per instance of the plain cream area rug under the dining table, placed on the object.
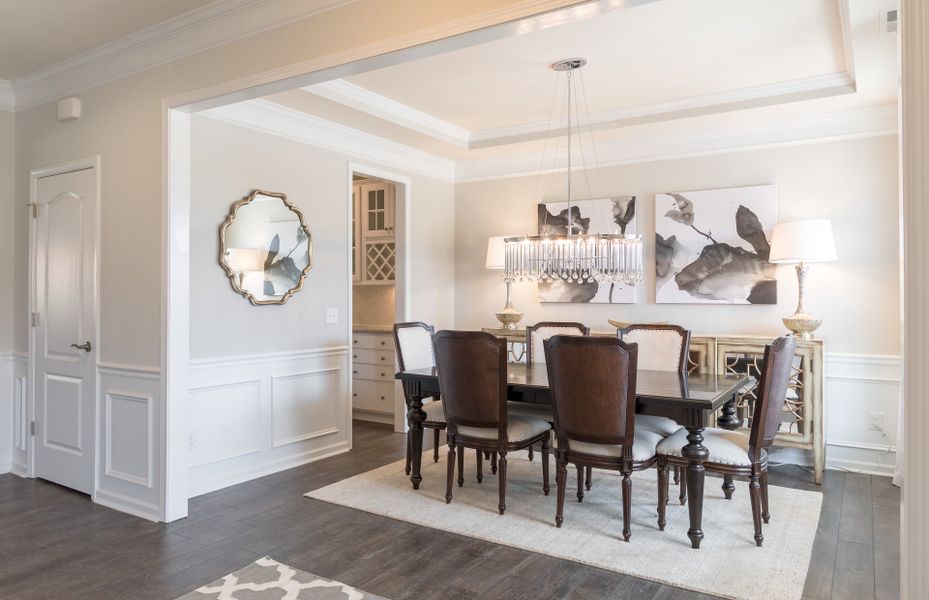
(728, 563)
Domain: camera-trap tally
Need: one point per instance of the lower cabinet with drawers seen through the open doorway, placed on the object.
(373, 376)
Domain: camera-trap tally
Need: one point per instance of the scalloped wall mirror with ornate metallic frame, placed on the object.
(265, 248)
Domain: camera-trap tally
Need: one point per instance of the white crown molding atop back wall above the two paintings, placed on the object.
(717, 139)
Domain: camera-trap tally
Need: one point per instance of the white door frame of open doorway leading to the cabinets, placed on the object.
(403, 238)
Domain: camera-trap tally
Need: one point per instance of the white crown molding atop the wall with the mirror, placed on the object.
(268, 117)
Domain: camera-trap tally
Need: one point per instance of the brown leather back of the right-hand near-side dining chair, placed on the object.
(592, 382)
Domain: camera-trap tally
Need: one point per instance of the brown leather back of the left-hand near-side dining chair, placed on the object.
(472, 379)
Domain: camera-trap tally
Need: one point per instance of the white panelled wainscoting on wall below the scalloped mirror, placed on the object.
(258, 414)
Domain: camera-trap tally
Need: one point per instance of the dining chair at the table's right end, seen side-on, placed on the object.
(733, 452)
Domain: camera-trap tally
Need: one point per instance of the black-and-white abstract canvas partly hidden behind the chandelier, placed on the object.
(604, 215)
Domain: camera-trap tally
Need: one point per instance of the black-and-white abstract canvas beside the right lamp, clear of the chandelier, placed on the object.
(712, 246)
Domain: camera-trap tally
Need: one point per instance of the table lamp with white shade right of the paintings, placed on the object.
(799, 243)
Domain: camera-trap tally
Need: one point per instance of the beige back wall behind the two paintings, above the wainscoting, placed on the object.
(854, 183)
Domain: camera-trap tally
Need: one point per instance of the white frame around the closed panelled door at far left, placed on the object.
(92, 162)
